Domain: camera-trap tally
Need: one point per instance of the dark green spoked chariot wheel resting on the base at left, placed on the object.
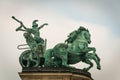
(26, 60)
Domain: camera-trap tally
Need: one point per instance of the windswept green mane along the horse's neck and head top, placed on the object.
(72, 36)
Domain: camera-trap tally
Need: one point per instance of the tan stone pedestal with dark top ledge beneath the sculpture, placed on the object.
(54, 74)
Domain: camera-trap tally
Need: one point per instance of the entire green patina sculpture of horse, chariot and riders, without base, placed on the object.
(73, 50)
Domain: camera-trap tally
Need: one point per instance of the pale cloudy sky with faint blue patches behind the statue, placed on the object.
(101, 17)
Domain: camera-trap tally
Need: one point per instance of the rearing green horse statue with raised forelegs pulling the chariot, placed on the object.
(74, 50)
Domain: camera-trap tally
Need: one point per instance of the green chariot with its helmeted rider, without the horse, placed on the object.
(34, 56)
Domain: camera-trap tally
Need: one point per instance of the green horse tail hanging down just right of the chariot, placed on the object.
(48, 57)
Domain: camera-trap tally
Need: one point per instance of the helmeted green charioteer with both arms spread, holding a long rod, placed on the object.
(34, 30)
